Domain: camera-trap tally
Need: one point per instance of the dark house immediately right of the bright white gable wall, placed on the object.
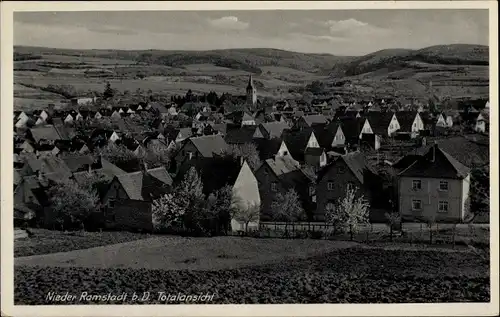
(278, 175)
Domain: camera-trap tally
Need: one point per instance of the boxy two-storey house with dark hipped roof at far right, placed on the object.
(435, 186)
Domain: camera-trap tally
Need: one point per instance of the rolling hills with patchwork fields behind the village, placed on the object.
(442, 72)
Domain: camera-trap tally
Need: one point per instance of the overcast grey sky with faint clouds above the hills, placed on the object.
(345, 32)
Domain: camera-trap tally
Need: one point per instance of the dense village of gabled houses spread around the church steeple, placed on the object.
(112, 162)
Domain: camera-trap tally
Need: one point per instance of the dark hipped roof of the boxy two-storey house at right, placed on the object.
(436, 163)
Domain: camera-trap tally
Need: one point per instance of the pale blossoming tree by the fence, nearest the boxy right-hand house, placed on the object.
(351, 212)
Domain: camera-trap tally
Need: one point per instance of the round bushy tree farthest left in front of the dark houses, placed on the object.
(71, 203)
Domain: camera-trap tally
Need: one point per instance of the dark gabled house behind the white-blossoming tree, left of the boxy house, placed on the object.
(346, 171)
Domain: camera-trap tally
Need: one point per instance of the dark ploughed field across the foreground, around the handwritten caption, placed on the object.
(345, 275)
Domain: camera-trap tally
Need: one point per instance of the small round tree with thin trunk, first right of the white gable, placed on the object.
(287, 208)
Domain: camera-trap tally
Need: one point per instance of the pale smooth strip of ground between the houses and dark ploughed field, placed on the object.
(176, 253)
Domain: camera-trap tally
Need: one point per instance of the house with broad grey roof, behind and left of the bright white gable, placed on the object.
(200, 147)
